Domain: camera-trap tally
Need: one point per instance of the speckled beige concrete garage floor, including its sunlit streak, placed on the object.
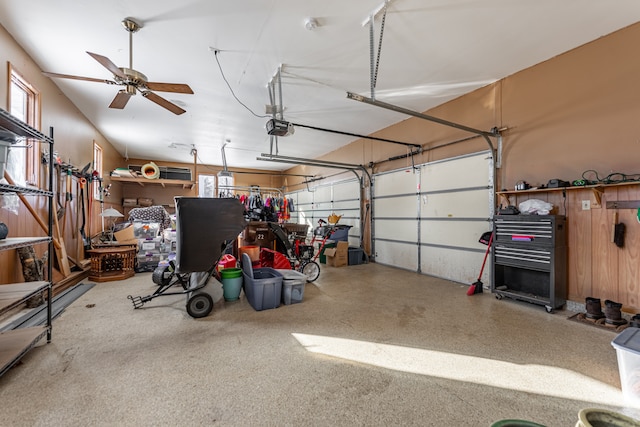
(369, 345)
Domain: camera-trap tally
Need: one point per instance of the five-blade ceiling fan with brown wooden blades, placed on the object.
(132, 80)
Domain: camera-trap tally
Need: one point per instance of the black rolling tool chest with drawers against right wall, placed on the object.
(530, 259)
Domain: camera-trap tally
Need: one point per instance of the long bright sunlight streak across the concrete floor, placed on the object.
(539, 379)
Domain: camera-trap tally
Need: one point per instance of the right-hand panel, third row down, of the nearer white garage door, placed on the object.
(463, 234)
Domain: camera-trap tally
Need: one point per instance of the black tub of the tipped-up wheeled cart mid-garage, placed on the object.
(204, 226)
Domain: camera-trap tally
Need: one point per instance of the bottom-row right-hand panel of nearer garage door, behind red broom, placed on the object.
(452, 264)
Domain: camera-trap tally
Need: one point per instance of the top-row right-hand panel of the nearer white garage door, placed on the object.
(468, 171)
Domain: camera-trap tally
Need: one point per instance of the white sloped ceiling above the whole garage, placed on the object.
(432, 51)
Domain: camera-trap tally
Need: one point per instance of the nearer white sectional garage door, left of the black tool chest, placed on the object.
(429, 219)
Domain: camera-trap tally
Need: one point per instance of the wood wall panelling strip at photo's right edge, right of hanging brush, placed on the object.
(629, 254)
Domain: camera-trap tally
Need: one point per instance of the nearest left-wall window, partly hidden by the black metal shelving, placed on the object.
(24, 104)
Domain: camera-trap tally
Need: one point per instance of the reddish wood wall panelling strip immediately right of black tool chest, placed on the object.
(579, 251)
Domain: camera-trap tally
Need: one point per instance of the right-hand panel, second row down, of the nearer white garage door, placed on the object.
(467, 204)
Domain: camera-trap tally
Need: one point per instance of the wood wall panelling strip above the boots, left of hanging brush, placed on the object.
(604, 253)
